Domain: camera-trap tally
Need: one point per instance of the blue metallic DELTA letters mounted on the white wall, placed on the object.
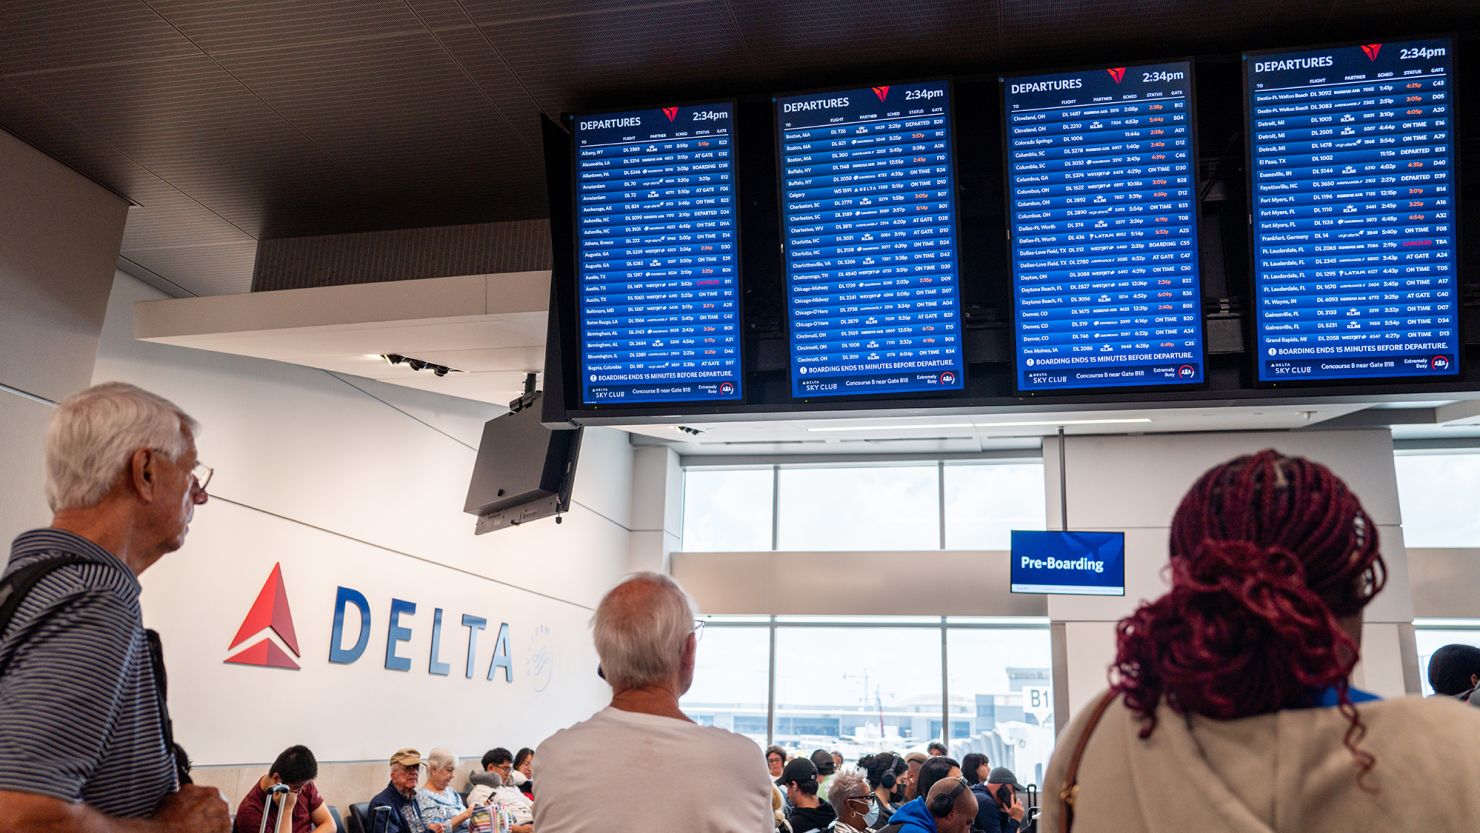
(399, 635)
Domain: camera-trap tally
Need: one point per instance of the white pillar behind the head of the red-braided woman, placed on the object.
(1136, 483)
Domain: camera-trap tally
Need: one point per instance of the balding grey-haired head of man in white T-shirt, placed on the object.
(642, 631)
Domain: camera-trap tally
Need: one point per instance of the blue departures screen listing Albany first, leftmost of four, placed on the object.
(658, 255)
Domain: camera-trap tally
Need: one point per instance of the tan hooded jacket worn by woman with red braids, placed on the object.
(1285, 773)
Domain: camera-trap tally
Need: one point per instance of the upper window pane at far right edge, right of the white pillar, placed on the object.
(1435, 496)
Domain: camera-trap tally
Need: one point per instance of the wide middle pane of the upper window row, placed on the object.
(875, 508)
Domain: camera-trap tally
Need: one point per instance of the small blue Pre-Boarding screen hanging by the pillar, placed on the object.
(1083, 564)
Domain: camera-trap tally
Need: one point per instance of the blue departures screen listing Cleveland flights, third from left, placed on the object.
(1103, 211)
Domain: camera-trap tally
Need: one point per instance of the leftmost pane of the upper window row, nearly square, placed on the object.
(729, 510)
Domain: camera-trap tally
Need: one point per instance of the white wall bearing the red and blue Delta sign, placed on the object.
(350, 483)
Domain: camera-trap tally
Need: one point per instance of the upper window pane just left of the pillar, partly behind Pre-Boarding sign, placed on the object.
(985, 502)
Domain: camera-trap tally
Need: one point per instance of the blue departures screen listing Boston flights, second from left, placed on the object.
(869, 223)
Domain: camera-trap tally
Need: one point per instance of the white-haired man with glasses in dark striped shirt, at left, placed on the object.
(84, 724)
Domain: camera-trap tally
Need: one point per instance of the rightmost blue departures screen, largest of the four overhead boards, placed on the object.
(1353, 206)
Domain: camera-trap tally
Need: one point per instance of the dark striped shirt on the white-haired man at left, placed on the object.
(79, 712)
